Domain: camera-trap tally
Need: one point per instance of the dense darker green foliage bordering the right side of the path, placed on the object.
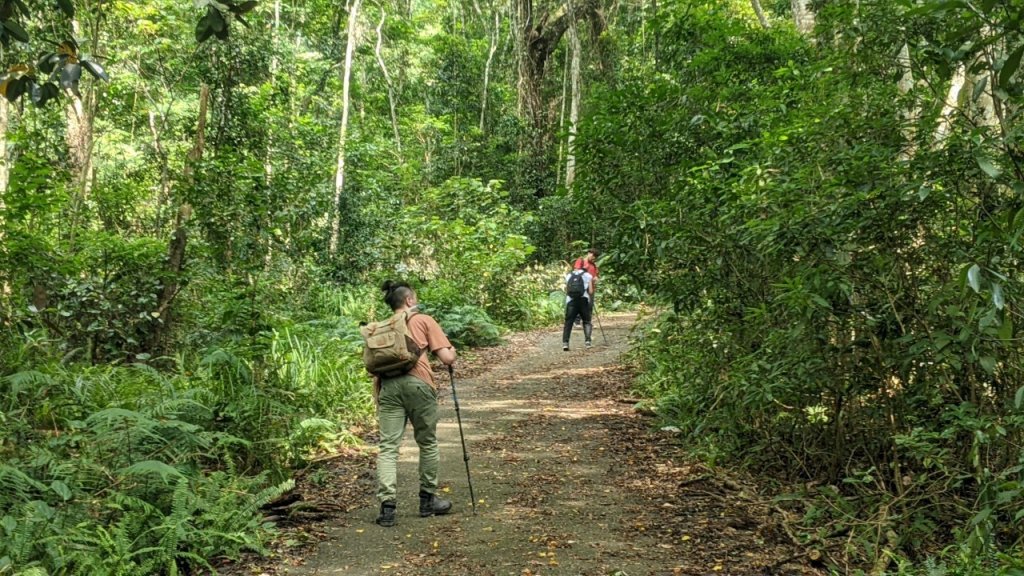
(837, 277)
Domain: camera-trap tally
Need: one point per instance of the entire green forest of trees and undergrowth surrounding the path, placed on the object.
(821, 203)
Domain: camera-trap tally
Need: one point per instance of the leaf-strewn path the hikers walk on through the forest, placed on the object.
(569, 478)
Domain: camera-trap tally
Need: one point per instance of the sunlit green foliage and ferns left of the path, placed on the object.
(177, 335)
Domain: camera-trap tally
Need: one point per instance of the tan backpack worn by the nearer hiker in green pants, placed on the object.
(389, 347)
